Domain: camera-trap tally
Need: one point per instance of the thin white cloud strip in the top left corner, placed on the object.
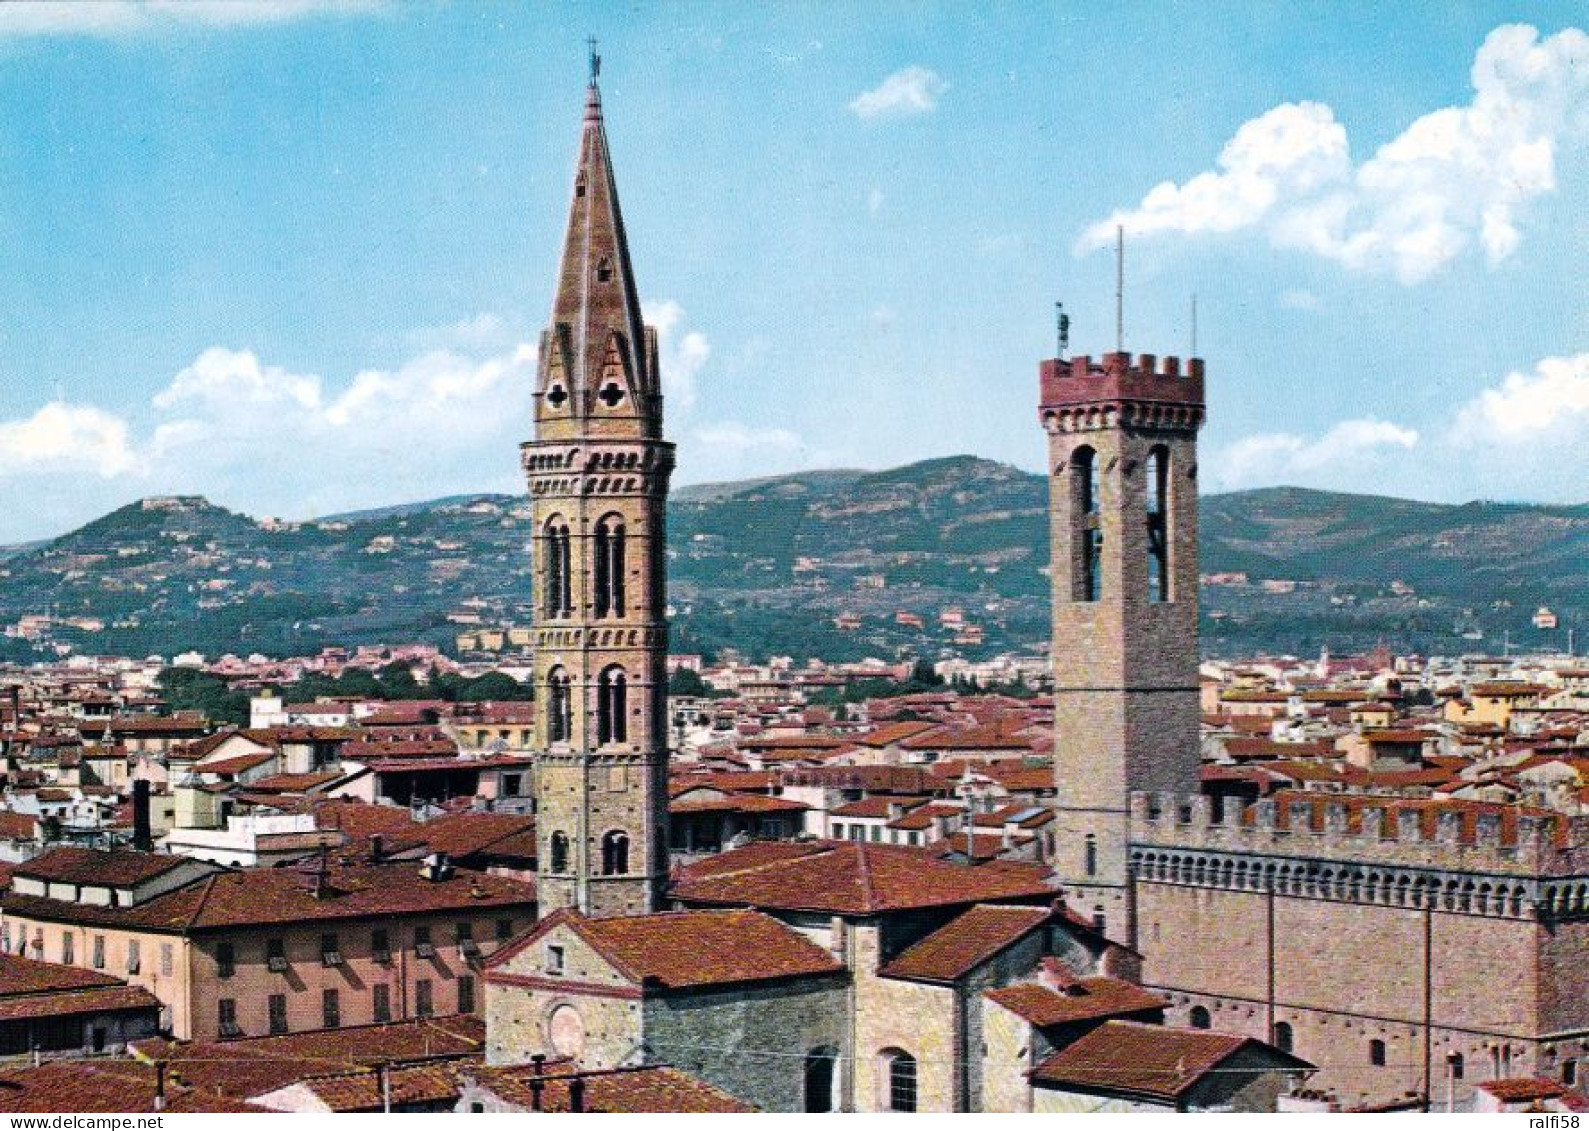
(115, 18)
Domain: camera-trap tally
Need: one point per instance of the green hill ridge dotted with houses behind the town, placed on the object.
(768, 566)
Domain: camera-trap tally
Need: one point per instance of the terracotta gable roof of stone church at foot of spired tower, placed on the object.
(679, 951)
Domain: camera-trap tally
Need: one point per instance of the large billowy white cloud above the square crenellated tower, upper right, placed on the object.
(1455, 179)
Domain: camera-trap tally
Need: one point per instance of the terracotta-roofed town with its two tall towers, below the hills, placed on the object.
(597, 874)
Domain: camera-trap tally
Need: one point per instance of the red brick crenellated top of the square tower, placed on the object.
(1119, 382)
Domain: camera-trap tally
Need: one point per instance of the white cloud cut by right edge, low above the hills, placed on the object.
(1552, 404)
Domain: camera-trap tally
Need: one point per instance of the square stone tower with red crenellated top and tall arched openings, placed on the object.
(1123, 525)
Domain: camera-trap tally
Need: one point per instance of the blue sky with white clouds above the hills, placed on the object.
(290, 255)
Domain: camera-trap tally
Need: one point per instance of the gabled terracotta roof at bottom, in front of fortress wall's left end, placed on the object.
(1146, 1060)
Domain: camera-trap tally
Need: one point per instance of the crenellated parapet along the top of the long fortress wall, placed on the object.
(1372, 832)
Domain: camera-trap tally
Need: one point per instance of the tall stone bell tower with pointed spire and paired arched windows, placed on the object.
(598, 481)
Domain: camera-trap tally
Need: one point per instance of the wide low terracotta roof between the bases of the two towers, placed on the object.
(852, 878)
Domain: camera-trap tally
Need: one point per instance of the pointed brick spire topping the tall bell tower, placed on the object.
(598, 357)
